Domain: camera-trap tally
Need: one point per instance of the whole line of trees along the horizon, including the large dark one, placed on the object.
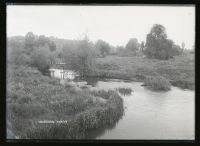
(41, 51)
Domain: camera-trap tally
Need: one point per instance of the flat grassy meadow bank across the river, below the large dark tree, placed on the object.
(179, 70)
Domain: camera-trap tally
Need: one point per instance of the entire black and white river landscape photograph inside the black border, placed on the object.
(100, 72)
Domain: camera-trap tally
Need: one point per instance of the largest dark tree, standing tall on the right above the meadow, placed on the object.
(157, 45)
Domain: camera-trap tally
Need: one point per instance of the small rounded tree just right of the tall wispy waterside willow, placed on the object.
(103, 47)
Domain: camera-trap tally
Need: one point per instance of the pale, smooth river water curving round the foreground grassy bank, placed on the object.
(148, 114)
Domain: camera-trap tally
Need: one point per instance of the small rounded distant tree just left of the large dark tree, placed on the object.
(133, 45)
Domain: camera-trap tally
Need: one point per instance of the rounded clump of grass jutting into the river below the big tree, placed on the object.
(158, 83)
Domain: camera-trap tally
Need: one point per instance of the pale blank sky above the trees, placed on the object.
(113, 24)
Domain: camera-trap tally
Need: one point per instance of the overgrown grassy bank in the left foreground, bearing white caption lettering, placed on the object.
(32, 97)
